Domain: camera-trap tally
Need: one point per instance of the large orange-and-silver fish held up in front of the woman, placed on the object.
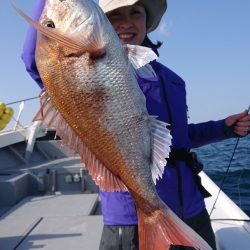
(93, 99)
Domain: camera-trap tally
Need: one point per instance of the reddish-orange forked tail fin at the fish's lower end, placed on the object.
(163, 228)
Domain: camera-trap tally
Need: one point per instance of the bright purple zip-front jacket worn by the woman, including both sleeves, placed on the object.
(165, 98)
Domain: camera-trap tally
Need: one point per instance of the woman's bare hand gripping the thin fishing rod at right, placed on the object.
(240, 123)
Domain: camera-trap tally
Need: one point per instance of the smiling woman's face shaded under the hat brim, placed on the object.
(129, 23)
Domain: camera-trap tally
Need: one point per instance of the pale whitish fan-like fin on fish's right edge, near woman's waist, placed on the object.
(161, 141)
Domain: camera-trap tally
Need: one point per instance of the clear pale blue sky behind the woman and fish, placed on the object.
(207, 43)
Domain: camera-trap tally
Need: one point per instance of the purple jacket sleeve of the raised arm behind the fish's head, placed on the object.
(29, 47)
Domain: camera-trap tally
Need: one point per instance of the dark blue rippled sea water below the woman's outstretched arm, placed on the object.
(216, 158)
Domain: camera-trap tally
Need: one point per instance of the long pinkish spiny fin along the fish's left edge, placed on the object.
(51, 117)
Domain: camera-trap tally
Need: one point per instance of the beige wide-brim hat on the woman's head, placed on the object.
(154, 8)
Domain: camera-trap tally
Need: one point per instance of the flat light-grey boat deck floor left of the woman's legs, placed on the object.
(59, 221)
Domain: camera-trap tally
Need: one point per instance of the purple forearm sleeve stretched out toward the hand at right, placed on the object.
(208, 132)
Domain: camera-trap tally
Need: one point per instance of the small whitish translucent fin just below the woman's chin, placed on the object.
(140, 56)
